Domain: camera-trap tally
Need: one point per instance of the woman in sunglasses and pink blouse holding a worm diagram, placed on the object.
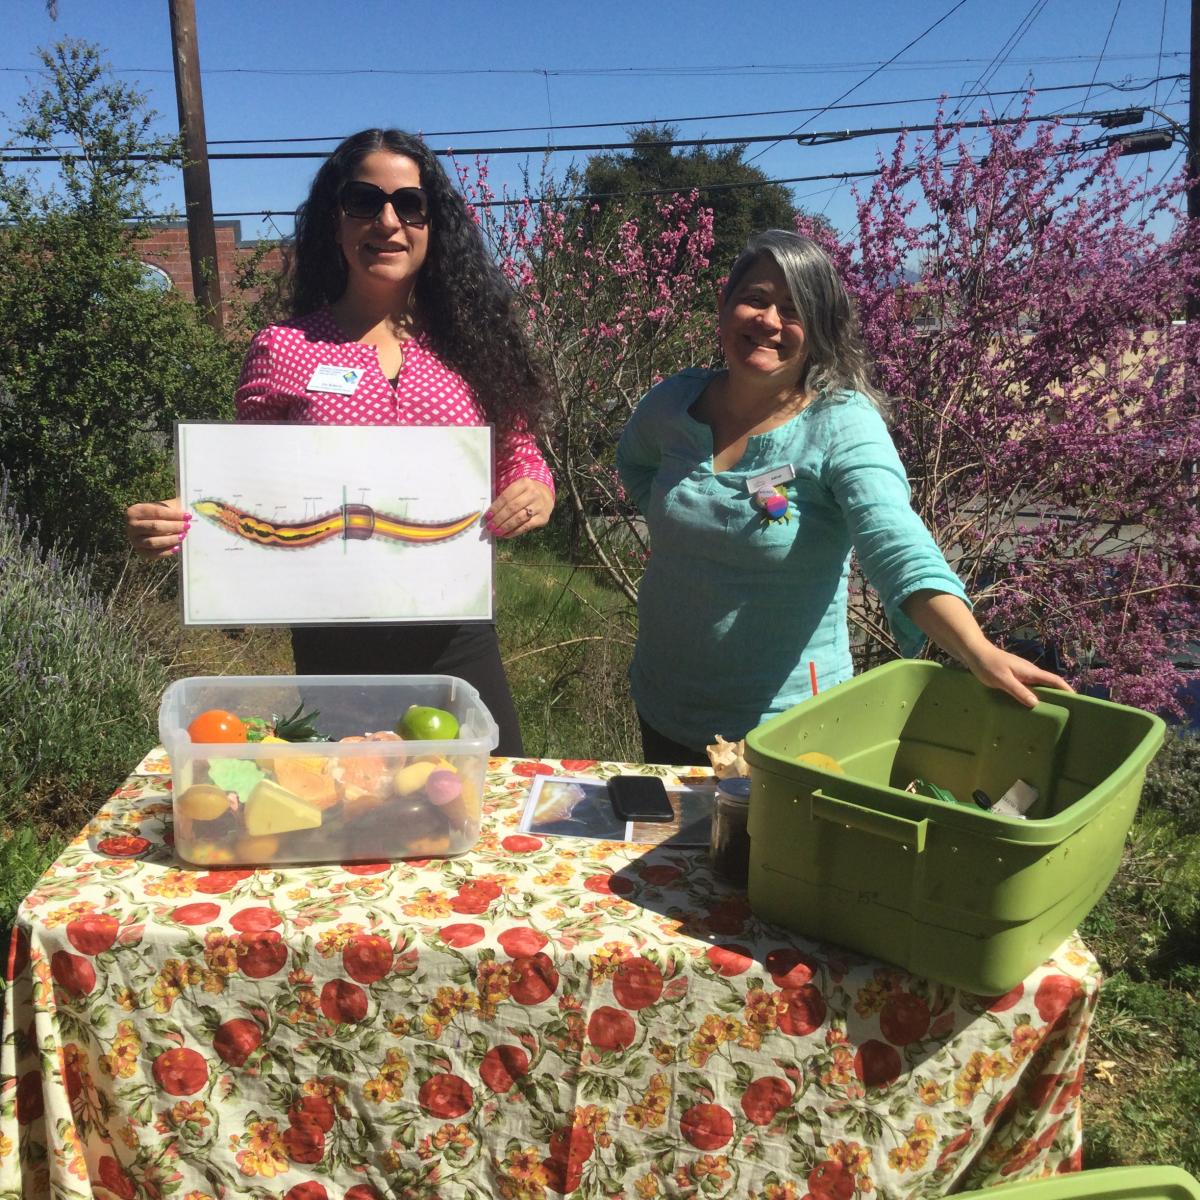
(389, 274)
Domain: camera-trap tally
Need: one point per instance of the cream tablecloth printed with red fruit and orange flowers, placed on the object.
(543, 1016)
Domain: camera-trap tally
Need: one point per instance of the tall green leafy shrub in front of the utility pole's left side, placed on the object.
(95, 365)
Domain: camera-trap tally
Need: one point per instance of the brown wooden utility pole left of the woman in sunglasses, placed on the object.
(202, 236)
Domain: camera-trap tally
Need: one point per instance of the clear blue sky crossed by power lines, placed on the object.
(305, 70)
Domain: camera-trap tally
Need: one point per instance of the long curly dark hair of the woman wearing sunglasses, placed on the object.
(467, 308)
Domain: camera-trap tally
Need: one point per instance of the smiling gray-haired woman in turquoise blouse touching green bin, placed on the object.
(757, 484)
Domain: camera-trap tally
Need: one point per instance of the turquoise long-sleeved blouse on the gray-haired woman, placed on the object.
(734, 608)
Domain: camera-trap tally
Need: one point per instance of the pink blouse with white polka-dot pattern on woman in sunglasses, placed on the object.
(283, 359)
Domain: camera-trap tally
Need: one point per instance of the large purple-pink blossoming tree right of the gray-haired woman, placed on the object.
(1027, 320)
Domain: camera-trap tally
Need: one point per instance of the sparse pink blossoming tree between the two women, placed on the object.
(615, 304)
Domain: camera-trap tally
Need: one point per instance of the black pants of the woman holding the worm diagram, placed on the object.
(471, 652)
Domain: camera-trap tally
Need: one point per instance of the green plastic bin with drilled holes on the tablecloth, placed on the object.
(946, 890)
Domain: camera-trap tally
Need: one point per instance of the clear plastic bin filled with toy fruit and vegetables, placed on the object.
(365, 794)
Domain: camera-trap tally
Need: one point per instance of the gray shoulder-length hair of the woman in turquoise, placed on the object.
(837, 359)
